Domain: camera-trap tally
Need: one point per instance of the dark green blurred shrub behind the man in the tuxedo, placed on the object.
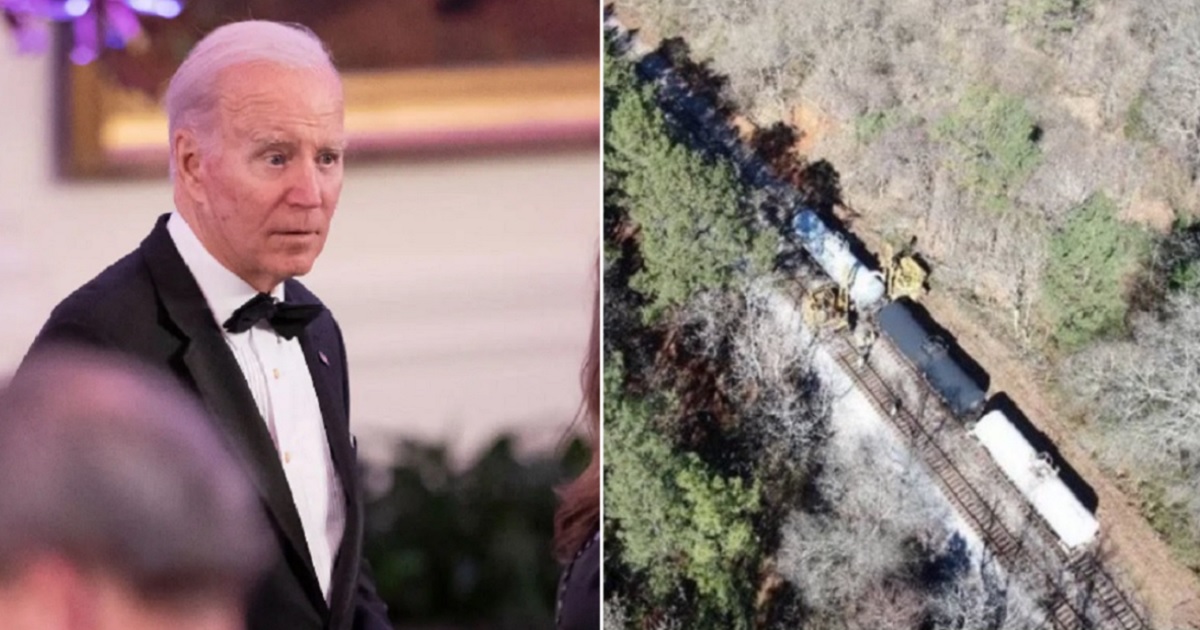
(471, 547)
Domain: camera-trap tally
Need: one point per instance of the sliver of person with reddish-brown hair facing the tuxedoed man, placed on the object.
(578, 521)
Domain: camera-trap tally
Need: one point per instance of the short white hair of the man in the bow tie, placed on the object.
(191, 97)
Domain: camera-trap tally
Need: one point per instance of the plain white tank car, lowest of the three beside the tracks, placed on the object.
(1037, 481)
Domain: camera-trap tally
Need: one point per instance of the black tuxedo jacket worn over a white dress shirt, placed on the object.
(148, 305)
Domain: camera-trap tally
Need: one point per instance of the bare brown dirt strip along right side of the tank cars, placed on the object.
(1171, 592)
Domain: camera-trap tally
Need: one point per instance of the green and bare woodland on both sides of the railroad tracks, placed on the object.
(1043, 154)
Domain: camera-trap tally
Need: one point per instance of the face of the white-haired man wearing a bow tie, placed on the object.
(271, 172)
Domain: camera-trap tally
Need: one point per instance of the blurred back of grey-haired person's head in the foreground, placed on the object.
(119, 507)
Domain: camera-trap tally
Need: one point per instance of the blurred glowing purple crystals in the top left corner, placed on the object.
(97, 25)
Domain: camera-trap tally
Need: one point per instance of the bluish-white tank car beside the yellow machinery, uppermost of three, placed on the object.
(832, 253)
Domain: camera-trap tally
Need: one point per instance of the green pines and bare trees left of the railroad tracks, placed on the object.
(728, 497)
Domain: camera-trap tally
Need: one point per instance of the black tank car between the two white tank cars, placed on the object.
(933, 357)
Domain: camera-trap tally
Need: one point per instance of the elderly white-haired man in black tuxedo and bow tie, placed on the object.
(256, 124)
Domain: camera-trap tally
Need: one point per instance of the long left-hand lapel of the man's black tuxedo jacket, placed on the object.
(224, 389)
